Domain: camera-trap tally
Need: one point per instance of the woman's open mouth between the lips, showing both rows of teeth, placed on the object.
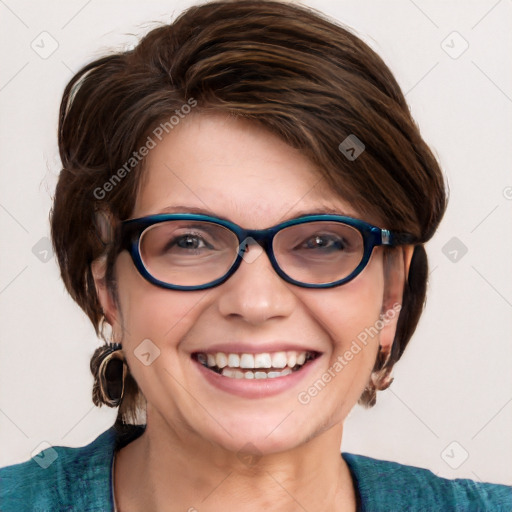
(255, 366)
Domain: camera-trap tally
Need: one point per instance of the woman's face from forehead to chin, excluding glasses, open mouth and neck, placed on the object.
(236, 170)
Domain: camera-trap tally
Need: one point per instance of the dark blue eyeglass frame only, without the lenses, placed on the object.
(373, 236)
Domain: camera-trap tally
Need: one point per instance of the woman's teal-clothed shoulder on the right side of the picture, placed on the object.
(384, 485)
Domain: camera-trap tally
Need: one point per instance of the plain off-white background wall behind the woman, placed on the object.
(450, 407)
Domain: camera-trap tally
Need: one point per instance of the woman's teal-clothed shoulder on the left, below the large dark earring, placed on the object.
(61, 478)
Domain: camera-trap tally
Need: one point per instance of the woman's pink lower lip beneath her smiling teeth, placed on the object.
(257, 388)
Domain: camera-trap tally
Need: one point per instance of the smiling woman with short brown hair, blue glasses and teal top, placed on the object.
(244, 201)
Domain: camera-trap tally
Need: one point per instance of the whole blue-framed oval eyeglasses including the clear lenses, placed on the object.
(196, 252)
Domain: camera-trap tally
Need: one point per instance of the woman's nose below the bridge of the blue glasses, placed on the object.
(255, 293)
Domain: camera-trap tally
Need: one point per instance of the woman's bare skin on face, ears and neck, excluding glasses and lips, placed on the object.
(187, 456)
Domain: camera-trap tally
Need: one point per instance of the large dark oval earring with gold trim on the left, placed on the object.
(111, 375)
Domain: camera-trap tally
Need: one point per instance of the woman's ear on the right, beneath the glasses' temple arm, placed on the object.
(396, 270)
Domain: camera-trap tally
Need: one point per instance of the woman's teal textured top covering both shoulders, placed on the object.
(80, 479)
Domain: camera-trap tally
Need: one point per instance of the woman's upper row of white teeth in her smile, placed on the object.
(262, 360)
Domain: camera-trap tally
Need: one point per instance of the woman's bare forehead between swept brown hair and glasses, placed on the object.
(235, 169)
